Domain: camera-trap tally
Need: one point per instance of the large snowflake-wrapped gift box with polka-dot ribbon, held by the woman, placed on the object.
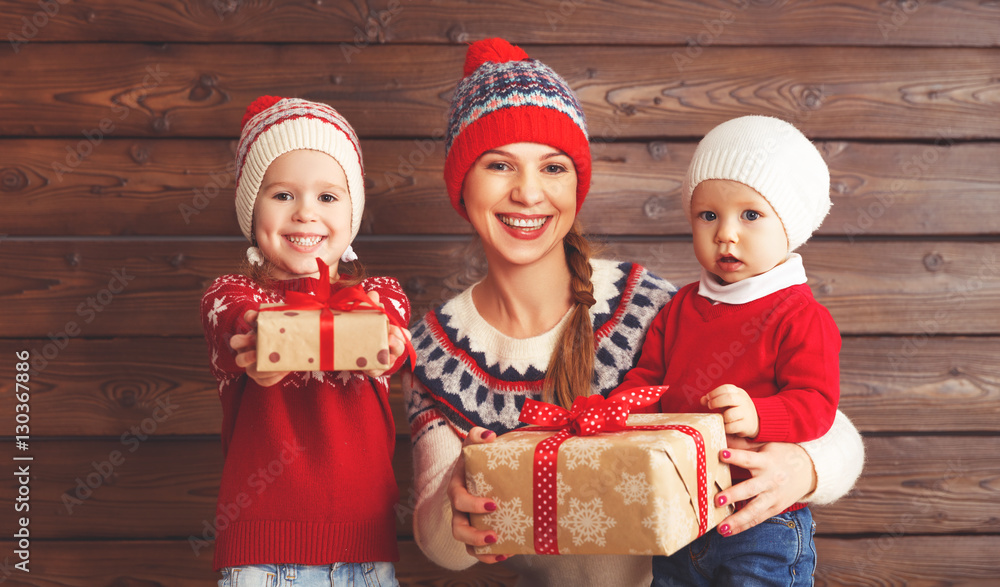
(645, 487)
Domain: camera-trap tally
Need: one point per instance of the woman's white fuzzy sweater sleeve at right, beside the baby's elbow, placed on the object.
(838, 457)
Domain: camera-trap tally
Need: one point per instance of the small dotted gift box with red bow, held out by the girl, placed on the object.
(327, 330)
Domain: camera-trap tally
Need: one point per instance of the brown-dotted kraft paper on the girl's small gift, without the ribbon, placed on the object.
(290, 341)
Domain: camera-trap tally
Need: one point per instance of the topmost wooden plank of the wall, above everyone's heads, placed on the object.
(652, 22)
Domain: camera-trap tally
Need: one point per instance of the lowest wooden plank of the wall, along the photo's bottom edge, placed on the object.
(915, 561)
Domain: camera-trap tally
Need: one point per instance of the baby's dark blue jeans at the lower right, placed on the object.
(778, 551)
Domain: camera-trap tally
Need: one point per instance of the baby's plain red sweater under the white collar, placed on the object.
(783, 349)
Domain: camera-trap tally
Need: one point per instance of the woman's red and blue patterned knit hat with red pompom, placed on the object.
(507, 97)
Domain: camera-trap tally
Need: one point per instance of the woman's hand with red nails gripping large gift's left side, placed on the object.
(464, 503)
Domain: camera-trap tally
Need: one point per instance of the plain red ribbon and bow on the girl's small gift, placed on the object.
(327, 301)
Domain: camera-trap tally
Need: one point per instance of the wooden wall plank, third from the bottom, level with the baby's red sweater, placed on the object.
(107, 387)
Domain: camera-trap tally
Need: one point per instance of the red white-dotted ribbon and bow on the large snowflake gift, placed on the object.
(591, 415)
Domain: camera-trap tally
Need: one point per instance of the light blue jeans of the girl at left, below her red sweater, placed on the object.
(379, 574)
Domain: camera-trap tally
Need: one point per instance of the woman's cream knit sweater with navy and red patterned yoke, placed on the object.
(469, 374)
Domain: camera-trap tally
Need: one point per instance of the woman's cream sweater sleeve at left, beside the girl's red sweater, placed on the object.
(435, 451)
